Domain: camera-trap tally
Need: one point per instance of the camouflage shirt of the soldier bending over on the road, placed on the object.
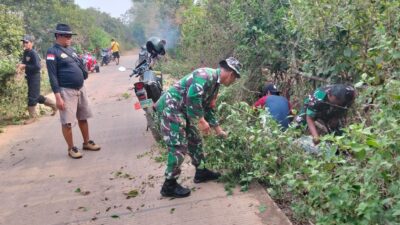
(193, 94)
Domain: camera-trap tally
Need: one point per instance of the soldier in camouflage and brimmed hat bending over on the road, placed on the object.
(188, 103)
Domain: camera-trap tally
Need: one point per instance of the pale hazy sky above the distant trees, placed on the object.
(114, 7)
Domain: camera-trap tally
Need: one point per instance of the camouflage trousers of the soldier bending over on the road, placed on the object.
(181, 137)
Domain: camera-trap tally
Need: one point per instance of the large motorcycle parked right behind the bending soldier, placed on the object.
(148, 90)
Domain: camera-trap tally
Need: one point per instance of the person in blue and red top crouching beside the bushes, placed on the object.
(278, 106)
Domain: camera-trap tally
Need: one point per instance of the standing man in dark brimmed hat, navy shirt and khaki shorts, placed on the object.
(66, 73)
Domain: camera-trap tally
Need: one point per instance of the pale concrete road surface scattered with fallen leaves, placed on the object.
(40, 184)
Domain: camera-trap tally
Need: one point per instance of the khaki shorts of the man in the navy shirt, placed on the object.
(76, 105)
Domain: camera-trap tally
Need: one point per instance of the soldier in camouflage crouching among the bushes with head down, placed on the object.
(328, 105)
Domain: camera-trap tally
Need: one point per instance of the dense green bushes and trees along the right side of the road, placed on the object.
(355, 179)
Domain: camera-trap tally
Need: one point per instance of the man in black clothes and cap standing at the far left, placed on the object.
(31, 64)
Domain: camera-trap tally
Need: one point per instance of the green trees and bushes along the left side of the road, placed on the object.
(39, 19)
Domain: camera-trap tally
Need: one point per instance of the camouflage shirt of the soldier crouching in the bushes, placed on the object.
(317, 106)
